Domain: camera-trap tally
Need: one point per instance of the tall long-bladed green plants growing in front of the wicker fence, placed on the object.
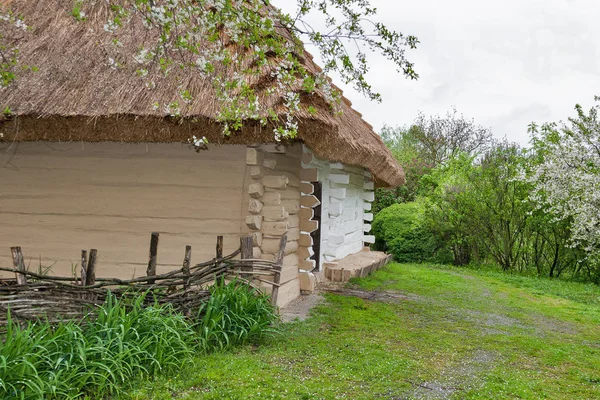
(120, 342)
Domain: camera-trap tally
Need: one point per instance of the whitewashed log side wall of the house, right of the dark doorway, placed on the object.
(347, 193)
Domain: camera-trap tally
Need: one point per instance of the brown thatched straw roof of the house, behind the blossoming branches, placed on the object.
(76, 96)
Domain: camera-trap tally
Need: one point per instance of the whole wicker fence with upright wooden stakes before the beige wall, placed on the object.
(32, 295)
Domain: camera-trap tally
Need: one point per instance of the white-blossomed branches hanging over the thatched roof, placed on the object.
(233, 43)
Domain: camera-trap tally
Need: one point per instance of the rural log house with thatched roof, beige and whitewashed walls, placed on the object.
(87, 161)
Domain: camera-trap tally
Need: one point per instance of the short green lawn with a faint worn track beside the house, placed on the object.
(459, 333)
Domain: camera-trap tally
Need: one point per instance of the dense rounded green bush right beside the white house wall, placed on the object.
(401, 231)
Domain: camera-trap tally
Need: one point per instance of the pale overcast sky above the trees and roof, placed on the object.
(504, 63)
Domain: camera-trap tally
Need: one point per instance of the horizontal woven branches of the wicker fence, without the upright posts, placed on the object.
(55, 298)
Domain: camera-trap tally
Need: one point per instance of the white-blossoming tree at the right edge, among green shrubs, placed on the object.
(566, 179)
